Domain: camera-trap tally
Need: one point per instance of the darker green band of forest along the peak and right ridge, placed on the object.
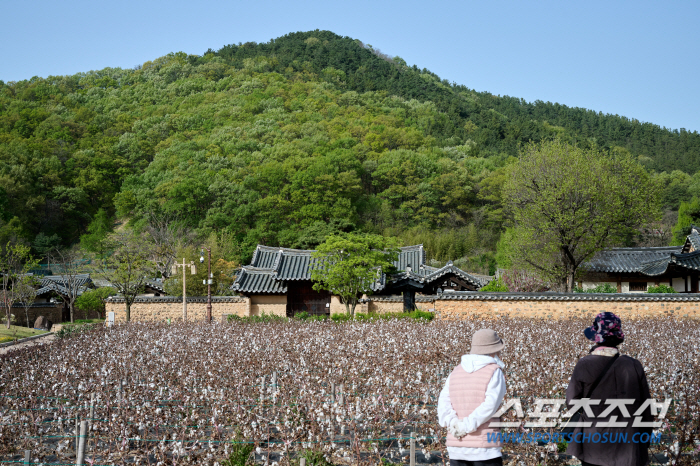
(496, 124)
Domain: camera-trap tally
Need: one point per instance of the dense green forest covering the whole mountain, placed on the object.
(285, 142)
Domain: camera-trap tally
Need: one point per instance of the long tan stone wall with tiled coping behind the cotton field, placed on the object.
(446, 306)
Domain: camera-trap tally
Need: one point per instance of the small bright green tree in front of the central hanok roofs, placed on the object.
(350, 264)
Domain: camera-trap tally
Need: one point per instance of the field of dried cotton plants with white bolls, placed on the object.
(344, 393)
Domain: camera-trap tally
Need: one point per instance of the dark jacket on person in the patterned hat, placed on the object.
(625, 379)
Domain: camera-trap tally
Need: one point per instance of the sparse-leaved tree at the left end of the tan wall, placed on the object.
(128, 267)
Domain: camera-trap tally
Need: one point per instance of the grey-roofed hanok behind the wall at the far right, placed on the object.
(635, 269)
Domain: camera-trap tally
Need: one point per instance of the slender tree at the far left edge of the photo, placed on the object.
(15, 262)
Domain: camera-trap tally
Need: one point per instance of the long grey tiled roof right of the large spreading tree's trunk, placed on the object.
(627, 260)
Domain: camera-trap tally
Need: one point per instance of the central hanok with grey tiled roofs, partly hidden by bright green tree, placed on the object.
(280, 278)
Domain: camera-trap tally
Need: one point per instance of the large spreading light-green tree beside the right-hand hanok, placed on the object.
(566, 203)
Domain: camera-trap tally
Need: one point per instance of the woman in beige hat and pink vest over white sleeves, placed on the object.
(472, 395)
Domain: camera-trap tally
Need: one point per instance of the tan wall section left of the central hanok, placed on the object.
(162, 308)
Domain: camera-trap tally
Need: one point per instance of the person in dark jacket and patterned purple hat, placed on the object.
(617, 377)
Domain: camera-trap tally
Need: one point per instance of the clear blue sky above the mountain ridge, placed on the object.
(636, 59)
